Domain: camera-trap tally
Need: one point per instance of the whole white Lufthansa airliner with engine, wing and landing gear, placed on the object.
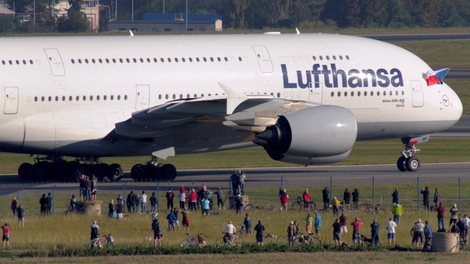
(305, 98)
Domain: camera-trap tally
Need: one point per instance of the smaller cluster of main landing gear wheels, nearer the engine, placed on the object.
(153, 171)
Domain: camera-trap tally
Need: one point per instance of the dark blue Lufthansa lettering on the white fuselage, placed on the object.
(331, 77)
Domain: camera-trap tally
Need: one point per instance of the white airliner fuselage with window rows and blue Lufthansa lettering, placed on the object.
(64, 95)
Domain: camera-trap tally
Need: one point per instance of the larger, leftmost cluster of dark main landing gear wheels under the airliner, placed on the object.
(57, 169)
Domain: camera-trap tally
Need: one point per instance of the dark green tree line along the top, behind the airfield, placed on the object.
(260, 14)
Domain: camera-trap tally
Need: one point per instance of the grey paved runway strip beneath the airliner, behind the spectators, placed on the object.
(265, 178)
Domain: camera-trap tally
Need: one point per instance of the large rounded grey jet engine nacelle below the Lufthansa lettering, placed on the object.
(321, 131)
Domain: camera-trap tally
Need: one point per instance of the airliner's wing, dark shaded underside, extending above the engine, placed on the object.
(238, 111)
